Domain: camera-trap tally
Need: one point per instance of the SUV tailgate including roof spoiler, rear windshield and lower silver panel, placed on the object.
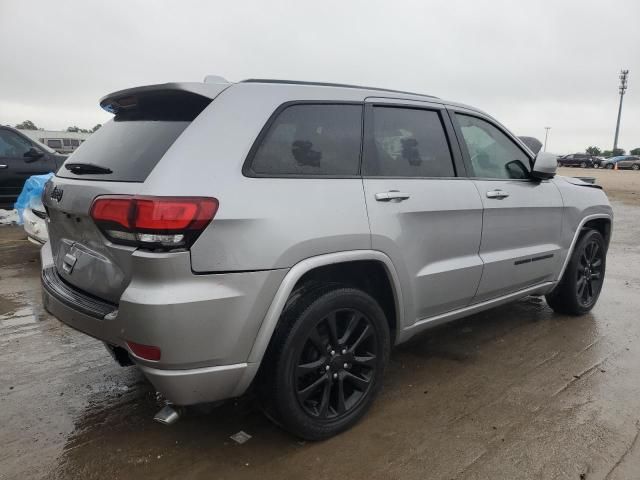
(115, 160)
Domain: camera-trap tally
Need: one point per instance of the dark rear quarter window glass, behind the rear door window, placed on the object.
(311, 140)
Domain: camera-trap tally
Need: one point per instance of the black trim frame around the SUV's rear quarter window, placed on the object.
(247, 169)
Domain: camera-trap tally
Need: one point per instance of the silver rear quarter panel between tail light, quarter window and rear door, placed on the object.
(262, 223)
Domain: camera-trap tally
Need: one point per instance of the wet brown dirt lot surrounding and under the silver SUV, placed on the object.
(516, 392)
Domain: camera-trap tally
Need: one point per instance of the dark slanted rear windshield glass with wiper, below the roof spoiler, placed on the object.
(129, 148)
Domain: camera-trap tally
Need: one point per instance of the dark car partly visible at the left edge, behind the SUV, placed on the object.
(20, 158)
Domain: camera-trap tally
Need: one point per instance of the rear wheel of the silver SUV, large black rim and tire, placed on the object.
(316, 383)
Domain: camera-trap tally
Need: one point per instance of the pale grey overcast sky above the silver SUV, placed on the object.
(552, 63)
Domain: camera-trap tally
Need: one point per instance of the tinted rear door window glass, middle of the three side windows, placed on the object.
(407, 143)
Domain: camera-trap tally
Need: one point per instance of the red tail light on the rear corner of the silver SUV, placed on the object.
(156, 223)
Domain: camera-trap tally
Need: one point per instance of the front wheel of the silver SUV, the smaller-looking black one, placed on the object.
(581, 283)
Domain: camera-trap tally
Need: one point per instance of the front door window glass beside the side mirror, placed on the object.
(492, 153)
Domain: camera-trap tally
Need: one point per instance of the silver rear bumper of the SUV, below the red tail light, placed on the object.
(204, 325)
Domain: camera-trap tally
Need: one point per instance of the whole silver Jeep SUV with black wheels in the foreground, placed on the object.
(285, 235)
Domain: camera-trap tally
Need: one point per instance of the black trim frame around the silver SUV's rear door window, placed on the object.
(459, 169)
